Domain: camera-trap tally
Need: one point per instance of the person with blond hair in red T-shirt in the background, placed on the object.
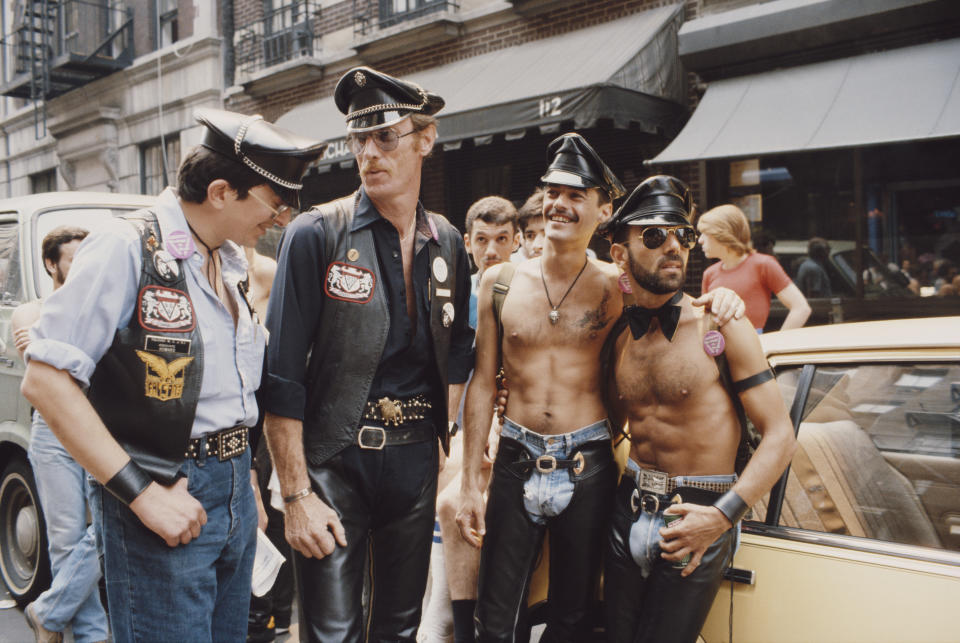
(725, 235)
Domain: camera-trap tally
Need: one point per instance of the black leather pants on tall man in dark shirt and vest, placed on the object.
(386, 501)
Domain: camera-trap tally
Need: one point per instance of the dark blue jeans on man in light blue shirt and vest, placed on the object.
(194, 592)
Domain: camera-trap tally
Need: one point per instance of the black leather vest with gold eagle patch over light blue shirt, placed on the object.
(147, 385)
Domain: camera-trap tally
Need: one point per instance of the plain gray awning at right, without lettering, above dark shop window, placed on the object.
(906, 94)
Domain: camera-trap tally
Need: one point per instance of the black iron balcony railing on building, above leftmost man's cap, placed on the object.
(282, 35)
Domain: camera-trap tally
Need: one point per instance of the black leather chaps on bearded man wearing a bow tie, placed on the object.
(660, 607)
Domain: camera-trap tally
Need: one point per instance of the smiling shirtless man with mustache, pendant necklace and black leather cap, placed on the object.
(555, 466)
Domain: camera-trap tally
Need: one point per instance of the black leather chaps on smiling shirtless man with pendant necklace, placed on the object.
(512, 543)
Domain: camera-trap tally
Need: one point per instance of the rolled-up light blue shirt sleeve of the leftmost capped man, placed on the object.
(80, 319)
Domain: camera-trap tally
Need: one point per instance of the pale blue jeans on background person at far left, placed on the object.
(73, 598)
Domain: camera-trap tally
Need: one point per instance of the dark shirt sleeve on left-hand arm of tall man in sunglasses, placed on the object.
(293, 313)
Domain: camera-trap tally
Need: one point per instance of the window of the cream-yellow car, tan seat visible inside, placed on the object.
(878, 453)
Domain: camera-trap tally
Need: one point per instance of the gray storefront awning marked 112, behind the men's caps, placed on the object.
(625, 70)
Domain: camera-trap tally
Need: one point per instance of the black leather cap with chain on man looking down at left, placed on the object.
(277, 154)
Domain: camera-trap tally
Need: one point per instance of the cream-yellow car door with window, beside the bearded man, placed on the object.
(860, 540)
